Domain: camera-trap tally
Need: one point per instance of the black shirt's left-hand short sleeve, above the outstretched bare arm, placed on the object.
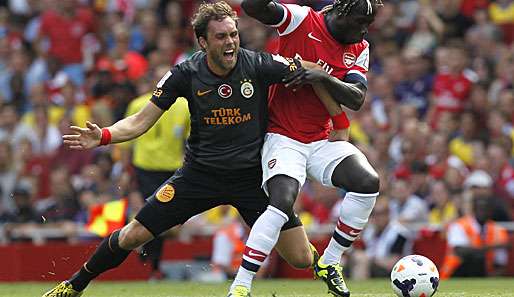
(171, 86)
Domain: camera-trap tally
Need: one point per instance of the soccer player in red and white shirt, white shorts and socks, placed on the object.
(296, 145)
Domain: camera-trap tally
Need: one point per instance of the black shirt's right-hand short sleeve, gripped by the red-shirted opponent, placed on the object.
(273, 68)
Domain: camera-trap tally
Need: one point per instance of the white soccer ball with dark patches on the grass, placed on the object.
(414, 276)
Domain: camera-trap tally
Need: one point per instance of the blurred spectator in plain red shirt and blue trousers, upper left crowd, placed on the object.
(64, 28)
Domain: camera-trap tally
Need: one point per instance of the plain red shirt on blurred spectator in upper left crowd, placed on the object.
(65, 34)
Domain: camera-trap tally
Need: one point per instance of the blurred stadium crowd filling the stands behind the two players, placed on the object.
(437, 122)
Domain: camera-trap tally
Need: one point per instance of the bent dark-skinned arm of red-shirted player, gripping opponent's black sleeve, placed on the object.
(348, 94)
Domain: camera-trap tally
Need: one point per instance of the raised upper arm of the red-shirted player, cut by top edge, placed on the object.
(265, 11)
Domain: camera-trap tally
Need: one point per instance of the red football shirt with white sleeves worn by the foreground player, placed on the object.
(303, 34)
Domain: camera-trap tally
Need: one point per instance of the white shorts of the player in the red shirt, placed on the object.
(316, 160)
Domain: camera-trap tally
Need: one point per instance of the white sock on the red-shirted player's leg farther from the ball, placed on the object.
(263, 237)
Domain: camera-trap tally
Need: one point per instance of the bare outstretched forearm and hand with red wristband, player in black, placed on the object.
(123, 130)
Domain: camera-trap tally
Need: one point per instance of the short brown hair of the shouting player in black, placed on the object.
(208, 12)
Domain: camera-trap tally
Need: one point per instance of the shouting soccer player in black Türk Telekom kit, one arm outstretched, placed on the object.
(227, 89)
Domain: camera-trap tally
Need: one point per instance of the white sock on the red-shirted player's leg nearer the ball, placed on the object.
(354, 214)
